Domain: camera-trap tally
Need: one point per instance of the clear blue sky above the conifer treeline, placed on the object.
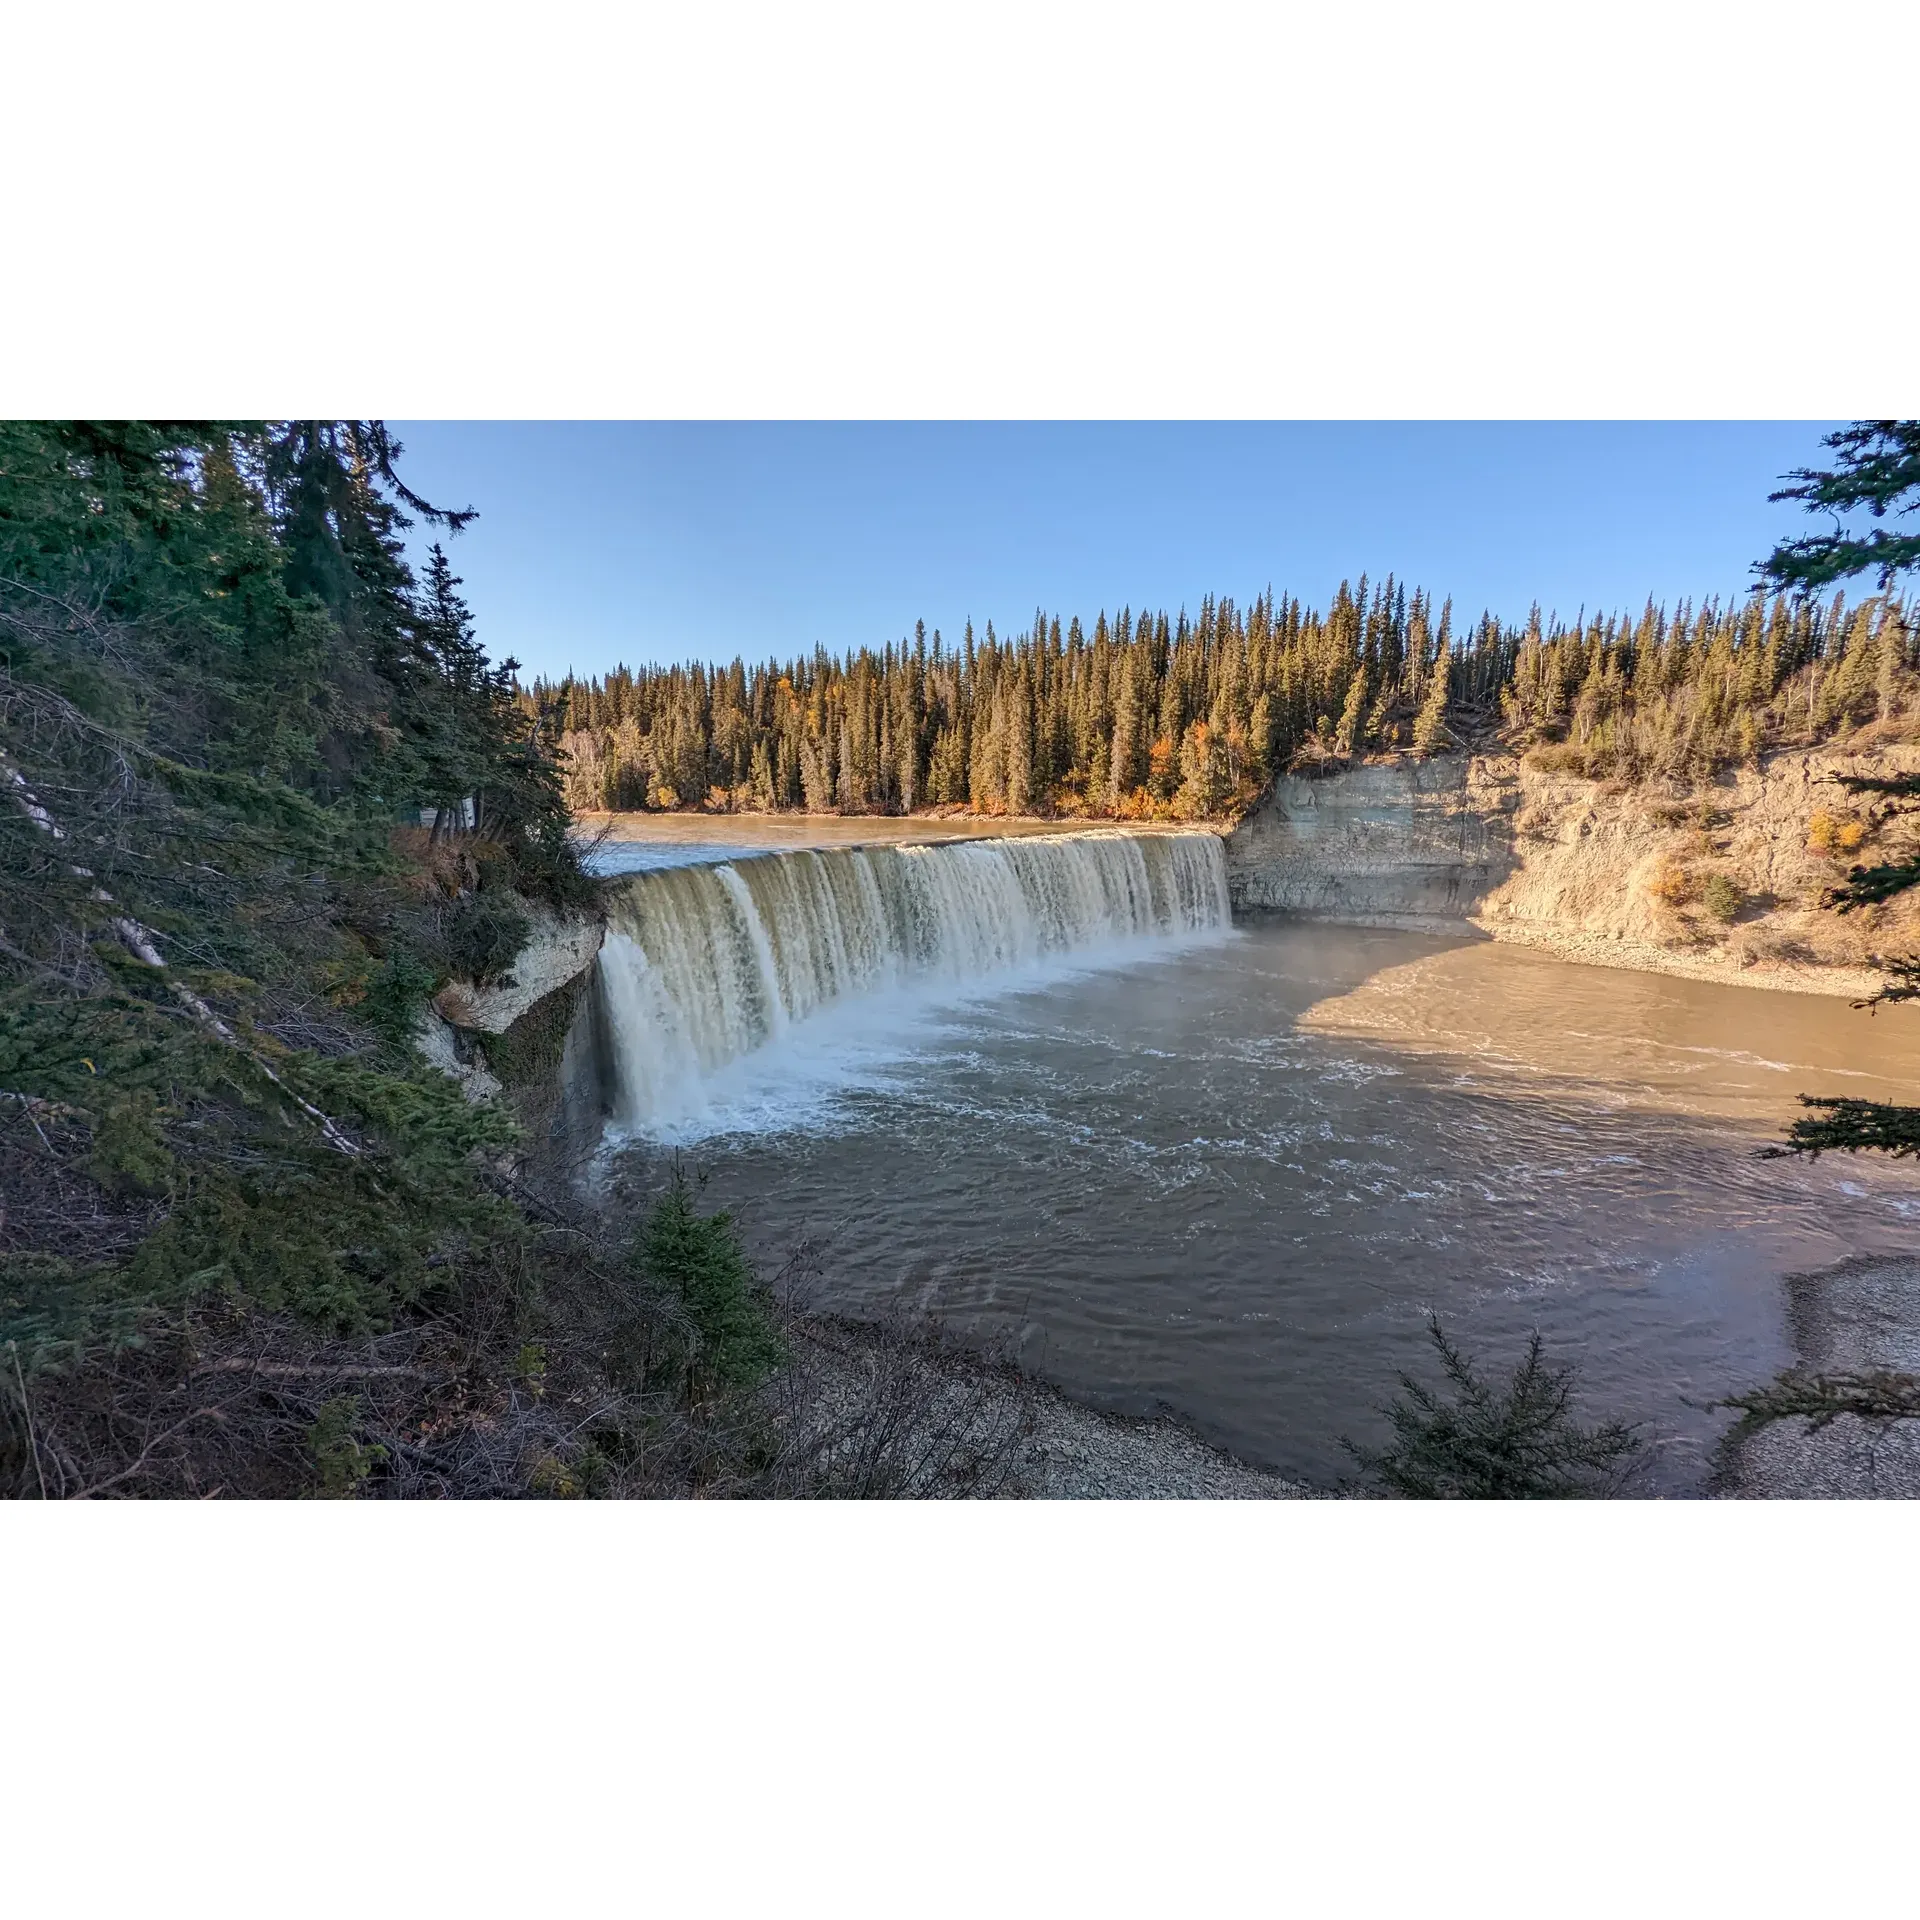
(604, 542)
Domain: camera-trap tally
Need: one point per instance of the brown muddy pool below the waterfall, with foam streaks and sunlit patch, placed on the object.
(1230, 1174)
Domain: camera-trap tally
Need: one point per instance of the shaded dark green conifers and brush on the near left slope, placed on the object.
(266, 798)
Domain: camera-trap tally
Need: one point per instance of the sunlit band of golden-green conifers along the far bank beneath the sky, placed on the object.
(1153, 715)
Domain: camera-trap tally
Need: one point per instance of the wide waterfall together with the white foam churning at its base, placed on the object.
(756, 996)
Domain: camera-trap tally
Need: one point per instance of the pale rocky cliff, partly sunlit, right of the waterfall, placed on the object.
(1719, 880)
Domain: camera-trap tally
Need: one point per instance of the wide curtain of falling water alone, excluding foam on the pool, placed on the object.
(709, 965)
